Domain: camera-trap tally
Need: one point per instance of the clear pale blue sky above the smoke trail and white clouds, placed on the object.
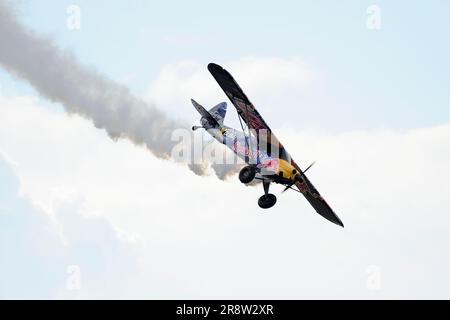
(394, 77)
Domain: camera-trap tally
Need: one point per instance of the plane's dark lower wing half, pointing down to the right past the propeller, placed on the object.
(315, 199)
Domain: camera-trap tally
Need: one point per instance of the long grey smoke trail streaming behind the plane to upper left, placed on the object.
(57, 75)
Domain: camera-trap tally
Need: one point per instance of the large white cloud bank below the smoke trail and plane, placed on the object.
(208, 239)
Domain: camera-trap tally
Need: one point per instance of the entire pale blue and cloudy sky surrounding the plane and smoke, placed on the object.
(370, 106)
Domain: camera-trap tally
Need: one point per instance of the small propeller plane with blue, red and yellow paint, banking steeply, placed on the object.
(266, 158)
